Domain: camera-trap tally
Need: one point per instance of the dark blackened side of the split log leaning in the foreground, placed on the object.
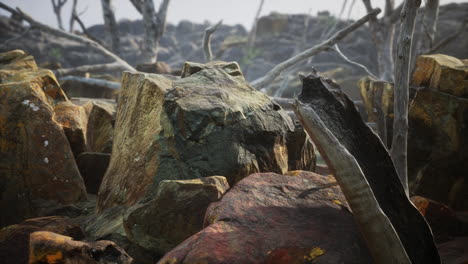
(341, 117)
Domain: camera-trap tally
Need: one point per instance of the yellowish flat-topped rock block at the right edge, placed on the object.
(441, 72)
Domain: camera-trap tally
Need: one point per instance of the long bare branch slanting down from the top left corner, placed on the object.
(59, 33)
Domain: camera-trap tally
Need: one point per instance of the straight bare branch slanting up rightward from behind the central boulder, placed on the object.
(327, 44)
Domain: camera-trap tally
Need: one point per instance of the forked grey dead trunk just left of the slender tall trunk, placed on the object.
(383, 31)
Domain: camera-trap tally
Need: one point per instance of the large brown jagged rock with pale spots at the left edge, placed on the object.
(36, 161)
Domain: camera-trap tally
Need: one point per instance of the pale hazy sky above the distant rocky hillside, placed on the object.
(231, 11)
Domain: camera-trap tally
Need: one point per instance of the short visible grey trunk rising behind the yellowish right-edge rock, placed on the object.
(428, 26)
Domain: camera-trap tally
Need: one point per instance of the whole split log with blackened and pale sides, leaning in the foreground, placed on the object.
(366, 174)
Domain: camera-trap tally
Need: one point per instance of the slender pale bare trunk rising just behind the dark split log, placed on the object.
(401, 92)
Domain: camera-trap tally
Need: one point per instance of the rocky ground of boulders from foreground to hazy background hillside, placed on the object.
(197, 166)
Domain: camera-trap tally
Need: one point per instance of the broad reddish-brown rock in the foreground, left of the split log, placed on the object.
(271, 218)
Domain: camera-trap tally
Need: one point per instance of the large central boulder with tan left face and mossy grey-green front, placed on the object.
(208, 122)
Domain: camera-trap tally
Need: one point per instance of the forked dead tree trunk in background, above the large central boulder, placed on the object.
(155, 25)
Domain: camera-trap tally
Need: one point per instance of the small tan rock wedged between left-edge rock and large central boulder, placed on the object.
(73, 119)
